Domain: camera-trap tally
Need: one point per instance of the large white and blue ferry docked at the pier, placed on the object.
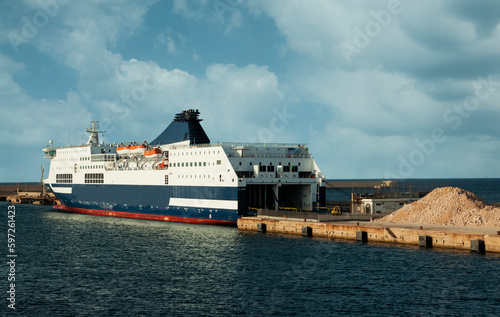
(180, 176)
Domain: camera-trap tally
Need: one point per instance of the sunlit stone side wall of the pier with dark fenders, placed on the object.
(464, 238)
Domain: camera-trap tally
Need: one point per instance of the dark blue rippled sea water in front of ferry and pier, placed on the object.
(82, 265)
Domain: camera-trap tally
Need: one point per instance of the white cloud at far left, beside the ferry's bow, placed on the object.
(27, 124)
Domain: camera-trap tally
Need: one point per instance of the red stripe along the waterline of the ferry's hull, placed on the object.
(134, 215)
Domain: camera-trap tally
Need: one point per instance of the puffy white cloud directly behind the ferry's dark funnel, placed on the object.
(230, 98)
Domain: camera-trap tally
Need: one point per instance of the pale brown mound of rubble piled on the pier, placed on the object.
(448, 206)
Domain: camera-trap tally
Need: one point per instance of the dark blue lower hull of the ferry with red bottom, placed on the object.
(149, 202)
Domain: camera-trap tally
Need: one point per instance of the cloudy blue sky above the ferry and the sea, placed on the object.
(377, 89)
